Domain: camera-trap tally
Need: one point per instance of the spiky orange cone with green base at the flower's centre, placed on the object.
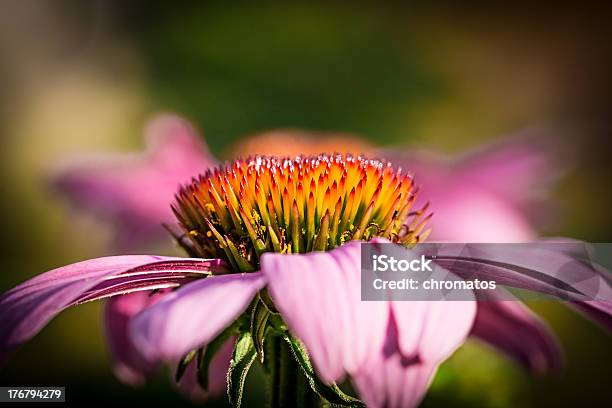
(293, 205)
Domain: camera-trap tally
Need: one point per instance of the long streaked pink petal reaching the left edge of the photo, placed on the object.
(27, 308)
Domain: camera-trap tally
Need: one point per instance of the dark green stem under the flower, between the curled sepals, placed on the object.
(288, 385)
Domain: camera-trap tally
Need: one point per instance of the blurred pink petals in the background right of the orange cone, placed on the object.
(483, 196)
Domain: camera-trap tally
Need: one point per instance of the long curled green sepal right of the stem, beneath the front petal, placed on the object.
(331, 393)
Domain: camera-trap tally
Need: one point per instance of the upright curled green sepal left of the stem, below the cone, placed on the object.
(242, 359)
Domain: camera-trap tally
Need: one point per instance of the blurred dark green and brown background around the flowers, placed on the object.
(83, 76)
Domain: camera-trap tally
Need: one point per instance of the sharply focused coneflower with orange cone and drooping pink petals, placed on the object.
(274, 276)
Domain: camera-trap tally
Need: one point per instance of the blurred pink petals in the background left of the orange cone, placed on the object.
(134, 191)
